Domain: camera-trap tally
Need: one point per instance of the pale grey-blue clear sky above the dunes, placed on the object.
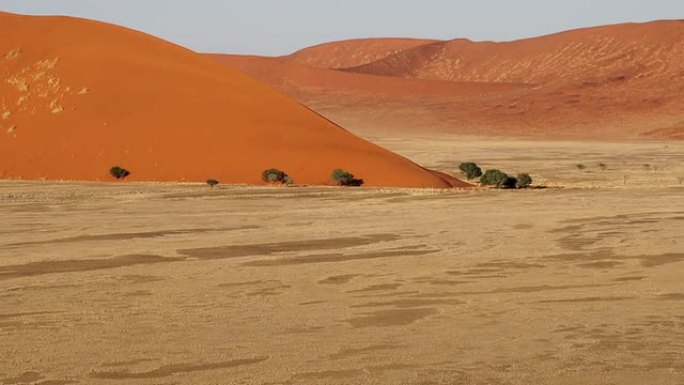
(275, 27)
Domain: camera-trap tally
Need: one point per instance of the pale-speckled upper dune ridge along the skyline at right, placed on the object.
(625, 51)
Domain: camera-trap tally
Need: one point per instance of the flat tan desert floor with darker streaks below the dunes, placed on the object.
(181, 284)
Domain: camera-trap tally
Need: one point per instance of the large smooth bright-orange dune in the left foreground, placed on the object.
(78, 97)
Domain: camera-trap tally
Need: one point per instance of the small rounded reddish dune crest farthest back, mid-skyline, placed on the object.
(352, 53)
